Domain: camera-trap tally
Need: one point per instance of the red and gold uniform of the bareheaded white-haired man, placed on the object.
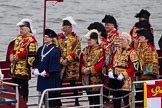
(126, 61)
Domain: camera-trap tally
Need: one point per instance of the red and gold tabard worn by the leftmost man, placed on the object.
(24, 52)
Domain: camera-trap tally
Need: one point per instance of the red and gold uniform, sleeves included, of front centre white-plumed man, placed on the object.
(94, 58)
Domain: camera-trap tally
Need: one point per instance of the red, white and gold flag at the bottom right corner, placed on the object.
(153, 94)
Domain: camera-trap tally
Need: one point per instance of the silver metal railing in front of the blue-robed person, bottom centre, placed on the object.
(45, 97)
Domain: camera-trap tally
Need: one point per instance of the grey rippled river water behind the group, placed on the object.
(83, 11)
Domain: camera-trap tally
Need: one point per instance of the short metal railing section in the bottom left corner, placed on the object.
(16, 94)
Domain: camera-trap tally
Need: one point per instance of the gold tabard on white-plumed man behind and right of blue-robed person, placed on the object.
(68, 45)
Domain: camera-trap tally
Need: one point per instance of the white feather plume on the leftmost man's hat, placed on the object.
(22, 22)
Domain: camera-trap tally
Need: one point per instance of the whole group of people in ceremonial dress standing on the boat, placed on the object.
(119, 57)
